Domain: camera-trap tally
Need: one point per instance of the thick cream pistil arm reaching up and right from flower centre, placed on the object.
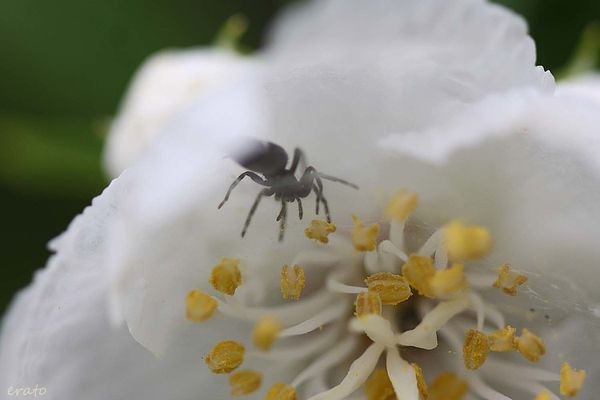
(424, 335)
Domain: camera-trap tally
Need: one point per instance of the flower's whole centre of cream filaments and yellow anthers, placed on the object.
(375, 286)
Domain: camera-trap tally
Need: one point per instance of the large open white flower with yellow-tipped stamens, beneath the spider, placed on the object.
(439, 97)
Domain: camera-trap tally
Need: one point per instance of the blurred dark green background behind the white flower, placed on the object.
(65, 64)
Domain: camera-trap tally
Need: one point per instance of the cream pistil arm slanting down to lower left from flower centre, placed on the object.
(357, 375)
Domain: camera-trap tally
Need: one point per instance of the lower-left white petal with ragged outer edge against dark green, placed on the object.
(57, 334)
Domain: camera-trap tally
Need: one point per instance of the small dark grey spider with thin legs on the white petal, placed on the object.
(266, 163)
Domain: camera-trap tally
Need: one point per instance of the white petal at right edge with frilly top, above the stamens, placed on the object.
(527, 167)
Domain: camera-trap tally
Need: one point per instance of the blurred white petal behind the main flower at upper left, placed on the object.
(163, 87)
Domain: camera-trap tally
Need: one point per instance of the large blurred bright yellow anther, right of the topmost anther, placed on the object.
(466, 242)
